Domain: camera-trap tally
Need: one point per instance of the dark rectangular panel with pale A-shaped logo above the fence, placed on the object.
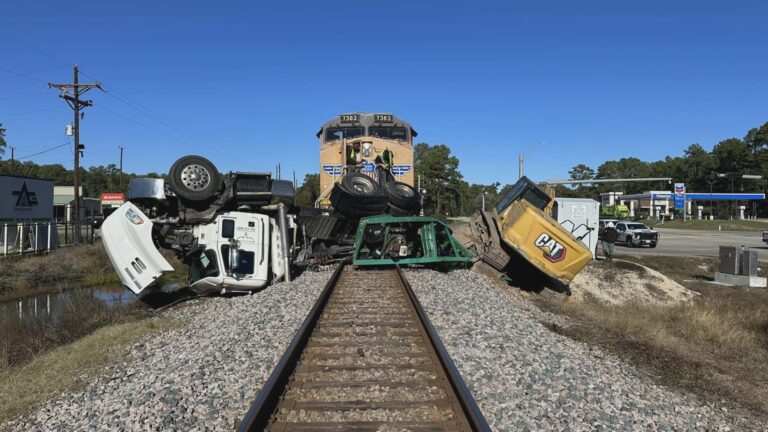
(25, 199)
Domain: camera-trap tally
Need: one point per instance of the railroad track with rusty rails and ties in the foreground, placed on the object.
(365, 359)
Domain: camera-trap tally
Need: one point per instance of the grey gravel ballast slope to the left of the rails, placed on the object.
(203, 376)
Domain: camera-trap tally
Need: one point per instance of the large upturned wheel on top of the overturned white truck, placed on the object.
(194, 178)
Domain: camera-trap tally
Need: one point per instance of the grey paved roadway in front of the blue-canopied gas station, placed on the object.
(699, 243)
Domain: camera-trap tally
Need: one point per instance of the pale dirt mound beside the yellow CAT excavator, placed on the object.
(623, 282)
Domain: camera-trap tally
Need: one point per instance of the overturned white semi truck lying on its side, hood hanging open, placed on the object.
(232, 234)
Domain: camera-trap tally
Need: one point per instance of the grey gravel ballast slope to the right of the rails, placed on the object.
(526, 377)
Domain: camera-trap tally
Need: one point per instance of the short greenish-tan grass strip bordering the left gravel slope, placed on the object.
(62, 369)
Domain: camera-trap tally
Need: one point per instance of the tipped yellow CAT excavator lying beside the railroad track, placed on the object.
(521, 241)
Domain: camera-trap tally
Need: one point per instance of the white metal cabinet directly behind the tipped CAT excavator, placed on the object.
(580, 217)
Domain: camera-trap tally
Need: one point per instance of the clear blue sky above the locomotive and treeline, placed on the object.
(248, 84)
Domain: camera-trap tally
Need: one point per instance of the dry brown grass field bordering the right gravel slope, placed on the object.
(716, 345)
